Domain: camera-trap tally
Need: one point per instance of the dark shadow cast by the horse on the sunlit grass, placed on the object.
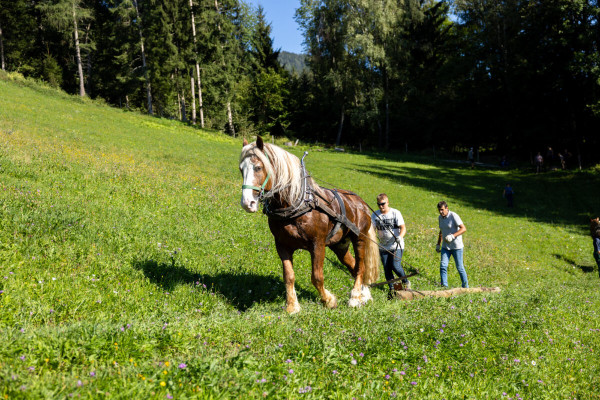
(241, 290)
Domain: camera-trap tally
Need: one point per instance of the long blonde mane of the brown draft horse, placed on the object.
(284, 168)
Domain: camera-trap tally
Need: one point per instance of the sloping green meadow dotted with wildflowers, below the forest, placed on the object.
(128, 270)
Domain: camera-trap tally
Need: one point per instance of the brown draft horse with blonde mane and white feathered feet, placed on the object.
(275, 176)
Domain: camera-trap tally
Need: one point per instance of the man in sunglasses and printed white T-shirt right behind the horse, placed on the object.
(389, 224)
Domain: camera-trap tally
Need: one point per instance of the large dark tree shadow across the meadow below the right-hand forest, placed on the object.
(565, 198)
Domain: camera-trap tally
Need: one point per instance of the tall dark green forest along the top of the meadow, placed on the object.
(509, 76)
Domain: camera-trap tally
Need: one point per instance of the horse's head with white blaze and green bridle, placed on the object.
(256, 174)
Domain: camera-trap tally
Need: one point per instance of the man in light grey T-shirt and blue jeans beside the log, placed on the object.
(450, 243)
